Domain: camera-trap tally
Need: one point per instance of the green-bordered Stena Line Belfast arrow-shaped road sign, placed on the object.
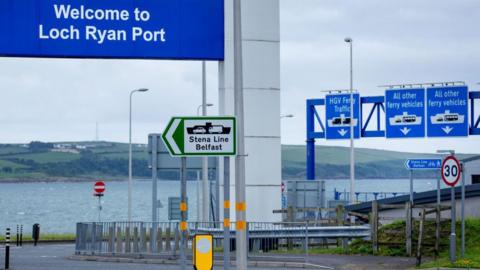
(201, 136)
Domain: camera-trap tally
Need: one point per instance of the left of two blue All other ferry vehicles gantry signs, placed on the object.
(405, 113)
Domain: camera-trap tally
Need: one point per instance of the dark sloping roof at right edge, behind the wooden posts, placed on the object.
(419, 198)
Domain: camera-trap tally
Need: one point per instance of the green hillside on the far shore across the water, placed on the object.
(79, 160)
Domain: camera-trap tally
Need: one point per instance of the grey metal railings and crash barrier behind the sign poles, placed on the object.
(162, 239)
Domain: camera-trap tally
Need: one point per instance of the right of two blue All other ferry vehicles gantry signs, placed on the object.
(447, 111)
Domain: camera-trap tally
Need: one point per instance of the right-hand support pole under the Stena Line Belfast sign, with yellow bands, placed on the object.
(226, 213)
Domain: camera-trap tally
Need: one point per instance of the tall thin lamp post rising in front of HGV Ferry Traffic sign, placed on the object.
(352, 135)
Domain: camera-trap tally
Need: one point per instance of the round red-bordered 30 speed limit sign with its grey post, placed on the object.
(451, 172)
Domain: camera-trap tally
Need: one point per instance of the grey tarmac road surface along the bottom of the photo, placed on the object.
(61, 256)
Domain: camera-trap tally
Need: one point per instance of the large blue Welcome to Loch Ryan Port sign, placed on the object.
(153, 29)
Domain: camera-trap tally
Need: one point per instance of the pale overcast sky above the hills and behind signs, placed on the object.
(394, 42)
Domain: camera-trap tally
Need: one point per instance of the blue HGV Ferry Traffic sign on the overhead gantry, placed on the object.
(338, 116)
